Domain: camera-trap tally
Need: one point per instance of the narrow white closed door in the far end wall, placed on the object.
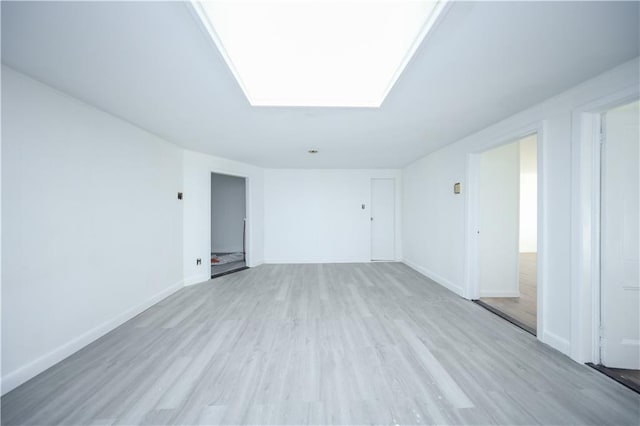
(383, 233)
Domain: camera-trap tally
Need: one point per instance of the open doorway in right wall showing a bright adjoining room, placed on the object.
(507, 231)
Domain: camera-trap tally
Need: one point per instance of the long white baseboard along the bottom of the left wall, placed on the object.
(17, 377)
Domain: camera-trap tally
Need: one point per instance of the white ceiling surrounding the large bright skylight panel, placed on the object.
(152, 64)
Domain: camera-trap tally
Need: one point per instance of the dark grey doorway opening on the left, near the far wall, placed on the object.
(228, 224)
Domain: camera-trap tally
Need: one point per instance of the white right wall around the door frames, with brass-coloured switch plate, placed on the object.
(434, 218)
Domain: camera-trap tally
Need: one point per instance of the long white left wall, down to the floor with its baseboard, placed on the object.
(92, 227)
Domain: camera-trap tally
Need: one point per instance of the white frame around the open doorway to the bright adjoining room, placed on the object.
(472, 285)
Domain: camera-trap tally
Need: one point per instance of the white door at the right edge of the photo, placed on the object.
(620, 290)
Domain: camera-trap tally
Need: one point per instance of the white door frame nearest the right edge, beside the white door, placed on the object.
(586, 193)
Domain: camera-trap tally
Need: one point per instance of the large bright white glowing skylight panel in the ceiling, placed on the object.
(317, 52)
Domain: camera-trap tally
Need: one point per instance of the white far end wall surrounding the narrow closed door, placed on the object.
(315, 216)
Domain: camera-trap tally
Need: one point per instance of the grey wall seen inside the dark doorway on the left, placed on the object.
(228, 210)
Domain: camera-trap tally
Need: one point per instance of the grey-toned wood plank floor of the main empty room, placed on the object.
(319, 344)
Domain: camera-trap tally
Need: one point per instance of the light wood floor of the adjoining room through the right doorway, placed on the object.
(525, 307)
